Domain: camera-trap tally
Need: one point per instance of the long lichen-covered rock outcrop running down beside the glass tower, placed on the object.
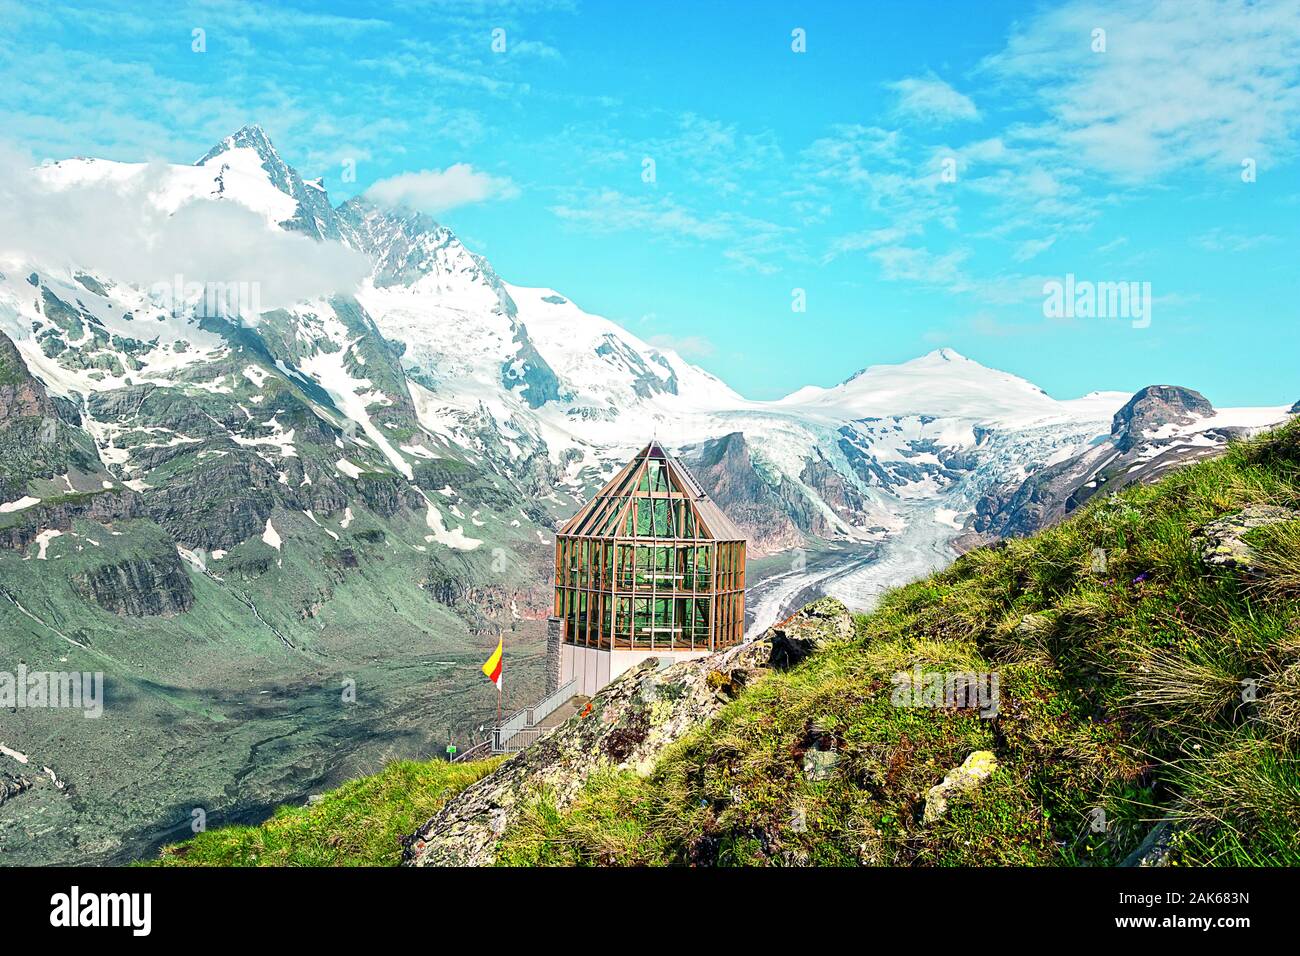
(629, 726)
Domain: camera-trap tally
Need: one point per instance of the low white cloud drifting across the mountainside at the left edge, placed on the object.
(119, 230)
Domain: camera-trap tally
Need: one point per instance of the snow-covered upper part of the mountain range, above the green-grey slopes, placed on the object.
(434, 351)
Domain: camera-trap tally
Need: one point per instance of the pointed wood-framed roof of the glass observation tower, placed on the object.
(652, 474)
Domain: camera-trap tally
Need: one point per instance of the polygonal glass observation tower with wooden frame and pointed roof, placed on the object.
(649, 568)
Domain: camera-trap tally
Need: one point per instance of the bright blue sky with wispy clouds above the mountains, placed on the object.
(774, 171)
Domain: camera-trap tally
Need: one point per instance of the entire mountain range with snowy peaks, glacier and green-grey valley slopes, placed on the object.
(289, 537)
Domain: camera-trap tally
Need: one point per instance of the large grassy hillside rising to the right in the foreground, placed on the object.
(1120, 691)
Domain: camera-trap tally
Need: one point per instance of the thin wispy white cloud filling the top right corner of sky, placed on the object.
(1181, 83)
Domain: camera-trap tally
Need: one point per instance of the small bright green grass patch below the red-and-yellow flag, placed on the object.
(358, 825)
